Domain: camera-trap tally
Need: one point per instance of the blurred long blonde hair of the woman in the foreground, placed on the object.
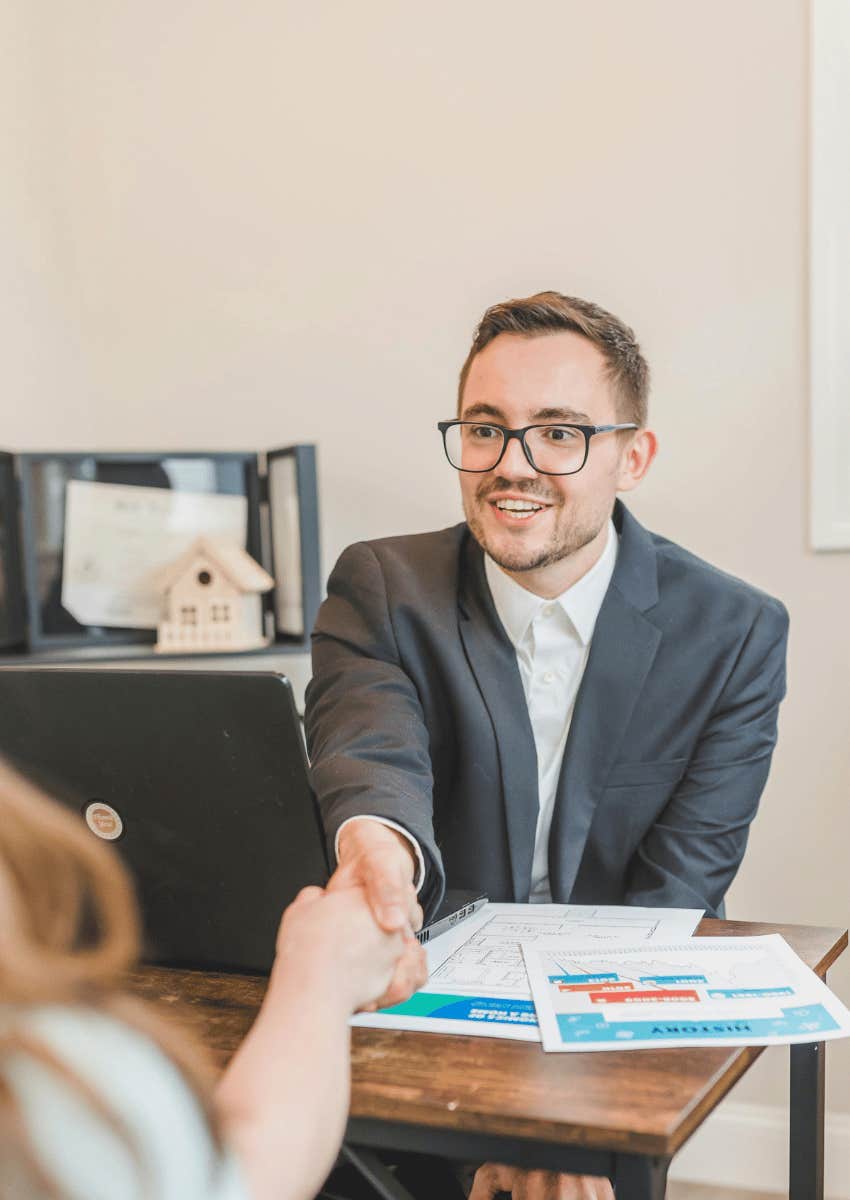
(69, 935)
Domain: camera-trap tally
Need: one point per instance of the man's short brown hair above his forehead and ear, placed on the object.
(549, 313)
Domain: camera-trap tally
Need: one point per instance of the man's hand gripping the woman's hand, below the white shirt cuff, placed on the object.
(381, 861)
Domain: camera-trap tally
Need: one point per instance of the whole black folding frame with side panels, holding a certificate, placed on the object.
(86, 538)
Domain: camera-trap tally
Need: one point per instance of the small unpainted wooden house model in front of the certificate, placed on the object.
(213, 601)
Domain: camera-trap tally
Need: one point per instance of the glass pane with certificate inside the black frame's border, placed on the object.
(80, 511)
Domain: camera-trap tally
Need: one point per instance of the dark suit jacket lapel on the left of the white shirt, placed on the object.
(493, 662)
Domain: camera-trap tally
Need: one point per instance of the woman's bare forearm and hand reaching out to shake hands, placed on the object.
(284, 1100)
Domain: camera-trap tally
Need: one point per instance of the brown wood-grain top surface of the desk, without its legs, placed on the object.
(641, 1101)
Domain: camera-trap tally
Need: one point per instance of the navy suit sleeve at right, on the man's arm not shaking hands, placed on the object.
(693, 851)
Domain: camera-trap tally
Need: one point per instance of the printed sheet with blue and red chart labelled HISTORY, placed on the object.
(707, 992)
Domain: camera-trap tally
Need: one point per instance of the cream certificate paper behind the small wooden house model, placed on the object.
(119, 538)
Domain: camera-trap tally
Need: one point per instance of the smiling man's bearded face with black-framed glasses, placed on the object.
(534, 499)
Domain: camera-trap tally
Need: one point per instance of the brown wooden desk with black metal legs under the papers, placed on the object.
(625, 1114)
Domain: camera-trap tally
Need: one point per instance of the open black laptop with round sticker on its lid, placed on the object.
(200, 779)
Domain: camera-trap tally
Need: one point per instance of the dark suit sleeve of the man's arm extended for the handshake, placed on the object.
(367, 734)
